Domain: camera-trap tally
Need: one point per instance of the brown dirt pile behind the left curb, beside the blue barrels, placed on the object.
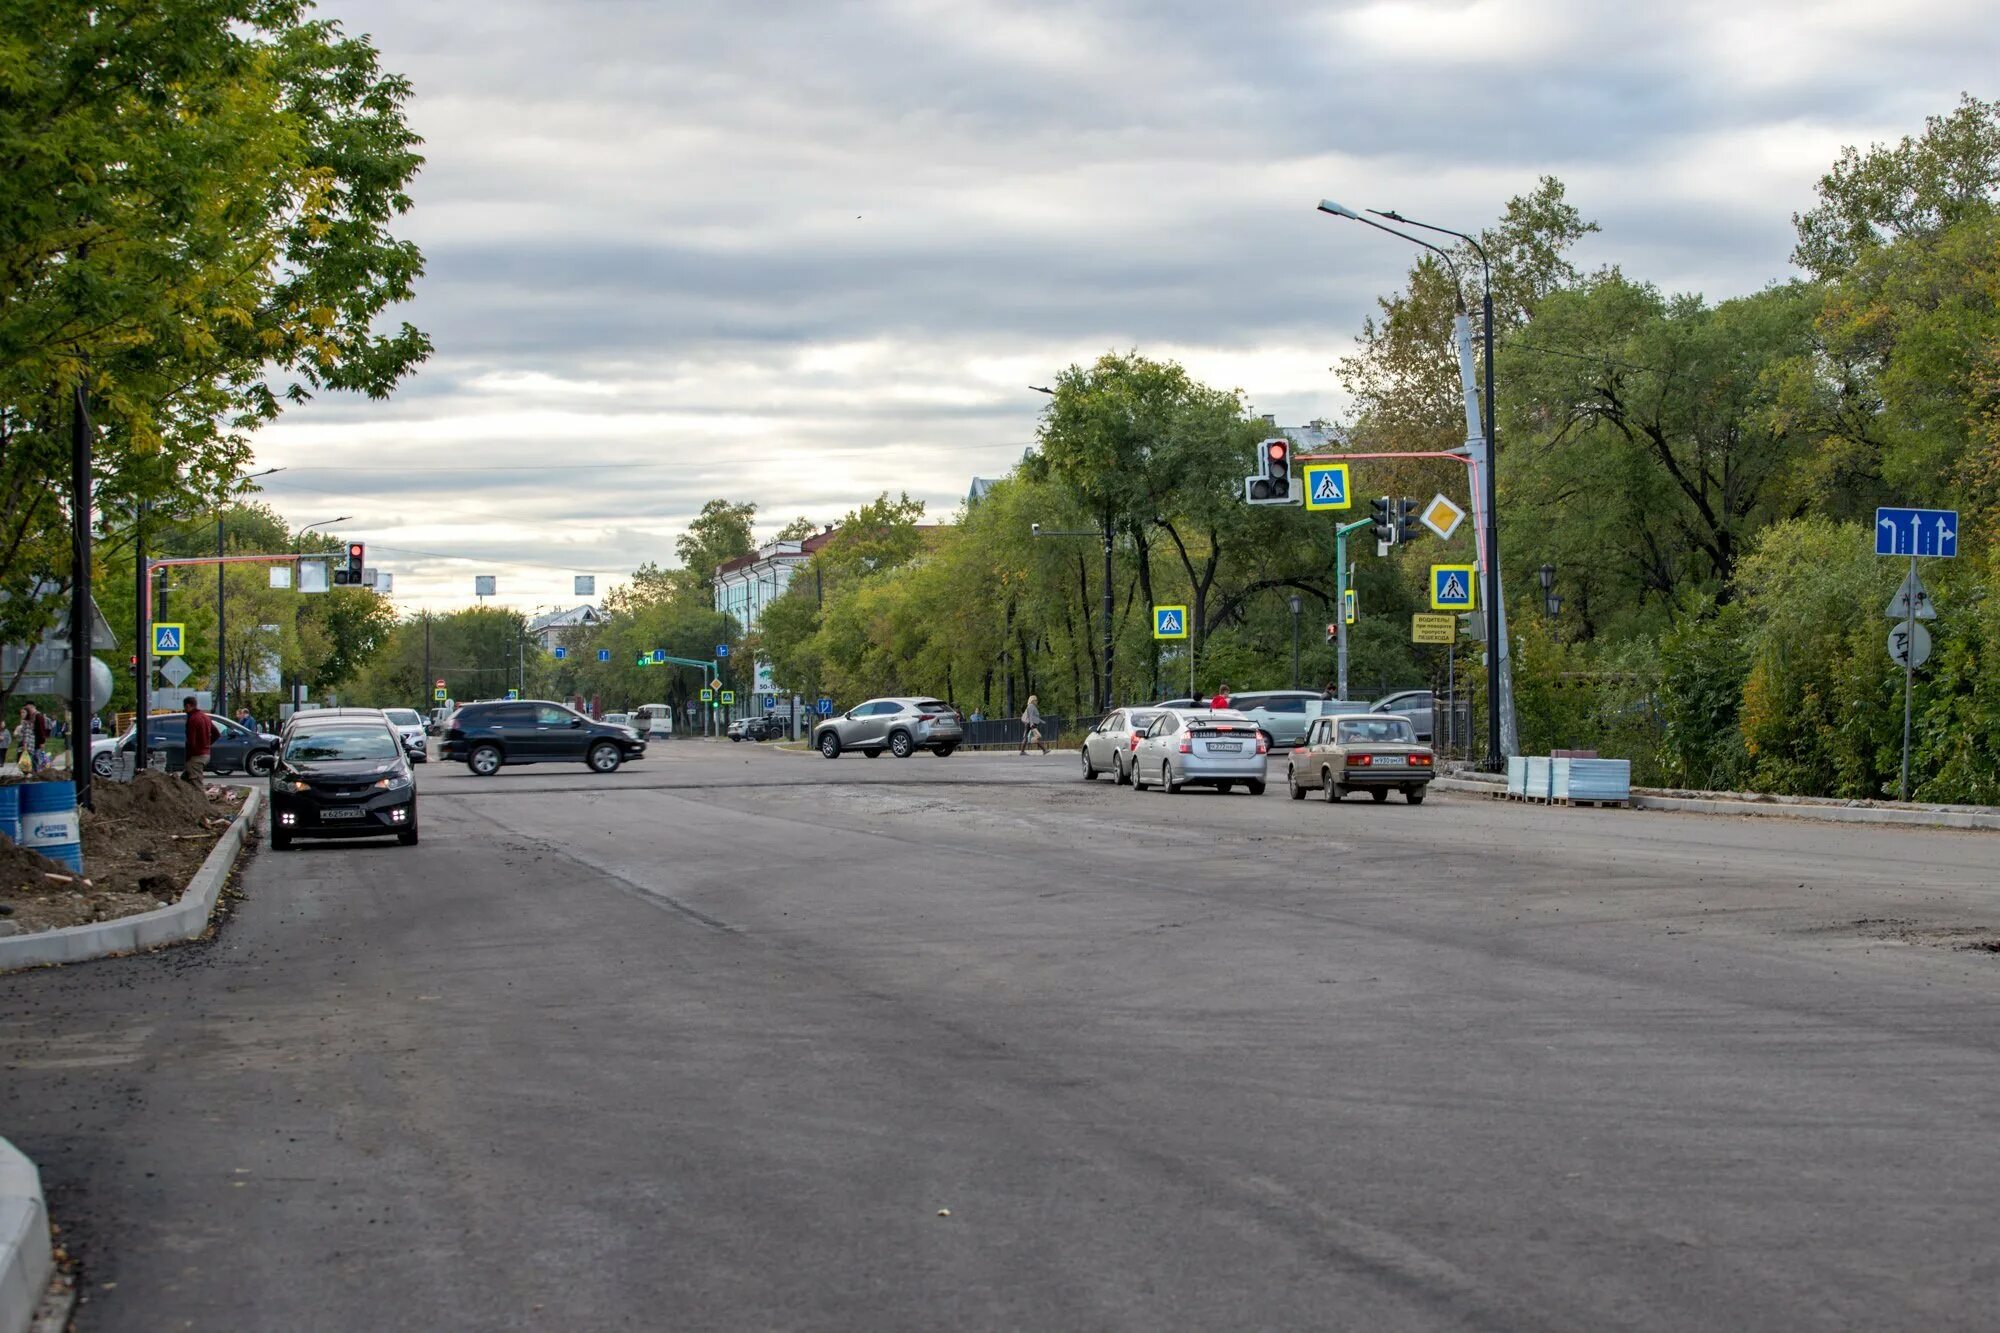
(143, 844)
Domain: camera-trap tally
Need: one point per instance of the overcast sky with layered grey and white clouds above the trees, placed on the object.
(801, 253)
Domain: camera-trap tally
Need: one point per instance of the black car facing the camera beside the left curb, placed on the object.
(343, 778)
